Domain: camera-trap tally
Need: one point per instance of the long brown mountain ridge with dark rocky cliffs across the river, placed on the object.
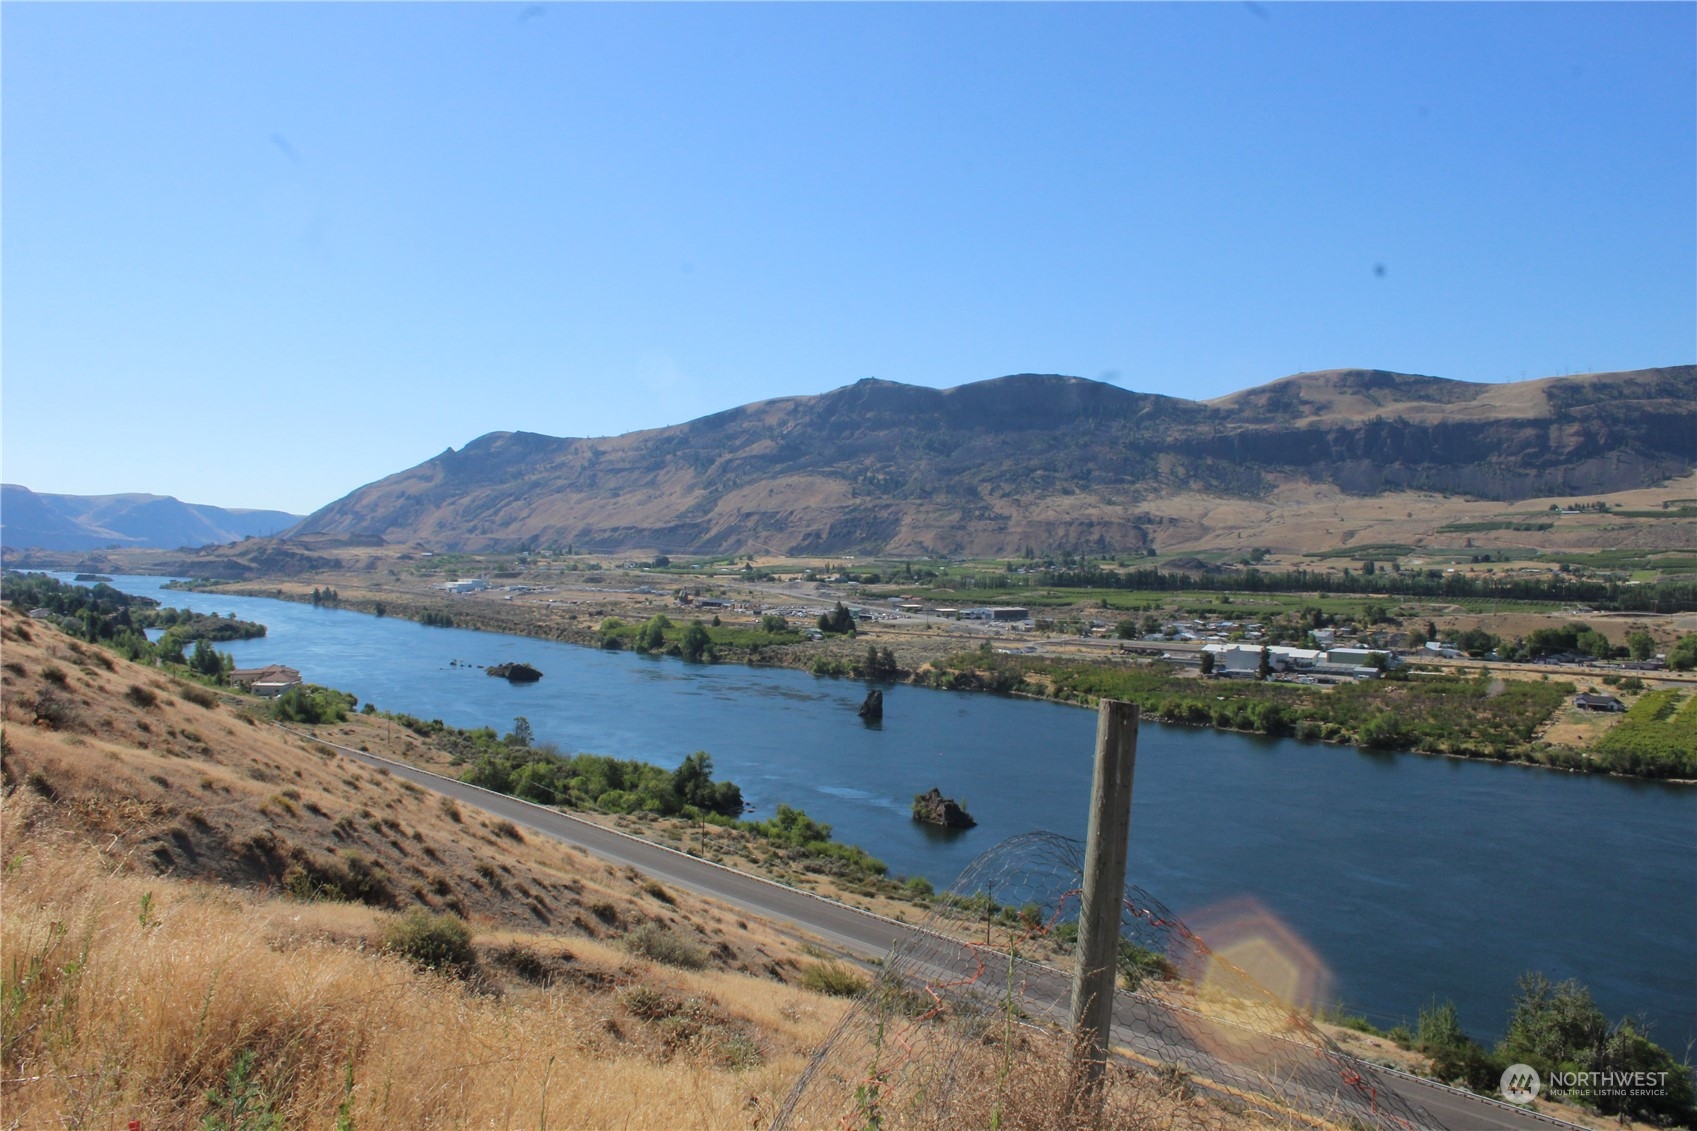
(1041, 461)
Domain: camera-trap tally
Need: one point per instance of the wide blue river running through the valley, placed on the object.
(1411, 879)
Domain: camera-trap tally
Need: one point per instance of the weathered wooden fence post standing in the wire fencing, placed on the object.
(1099, 918)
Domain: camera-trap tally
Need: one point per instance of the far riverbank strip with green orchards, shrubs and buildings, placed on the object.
(1472, 714)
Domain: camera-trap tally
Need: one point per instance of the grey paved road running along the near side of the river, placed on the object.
(1148, 1027)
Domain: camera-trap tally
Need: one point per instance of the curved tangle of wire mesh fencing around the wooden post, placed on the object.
(980, 996)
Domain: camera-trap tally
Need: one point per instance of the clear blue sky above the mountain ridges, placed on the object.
(264, 254)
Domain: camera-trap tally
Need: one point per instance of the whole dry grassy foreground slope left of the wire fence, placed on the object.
(165, 964)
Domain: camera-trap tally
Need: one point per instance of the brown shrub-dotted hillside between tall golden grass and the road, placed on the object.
(186, 782)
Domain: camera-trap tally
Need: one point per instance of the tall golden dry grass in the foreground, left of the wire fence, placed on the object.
(133, 998)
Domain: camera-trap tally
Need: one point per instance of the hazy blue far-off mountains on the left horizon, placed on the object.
(89, 522)
